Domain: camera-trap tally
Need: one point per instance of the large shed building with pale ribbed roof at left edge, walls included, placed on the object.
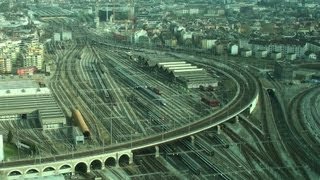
(23, 100)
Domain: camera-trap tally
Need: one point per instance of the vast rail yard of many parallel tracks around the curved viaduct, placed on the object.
(112, 96)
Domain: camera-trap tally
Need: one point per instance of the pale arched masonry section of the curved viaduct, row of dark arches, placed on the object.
(70, 166)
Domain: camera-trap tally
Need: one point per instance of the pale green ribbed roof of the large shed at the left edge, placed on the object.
(27, 99)
